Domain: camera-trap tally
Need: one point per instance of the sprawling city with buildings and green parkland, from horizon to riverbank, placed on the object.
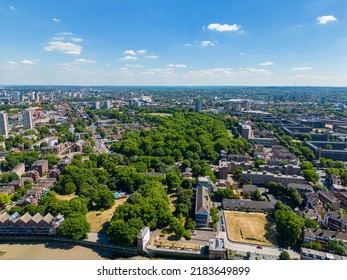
(177, 172)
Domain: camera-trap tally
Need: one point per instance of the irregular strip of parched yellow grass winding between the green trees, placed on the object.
(97, 219)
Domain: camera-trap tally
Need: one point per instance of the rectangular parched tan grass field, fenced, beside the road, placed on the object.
(254, 228)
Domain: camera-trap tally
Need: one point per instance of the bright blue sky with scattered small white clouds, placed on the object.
(174, 42)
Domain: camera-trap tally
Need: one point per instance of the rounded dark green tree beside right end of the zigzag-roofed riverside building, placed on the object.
(75, 226)
